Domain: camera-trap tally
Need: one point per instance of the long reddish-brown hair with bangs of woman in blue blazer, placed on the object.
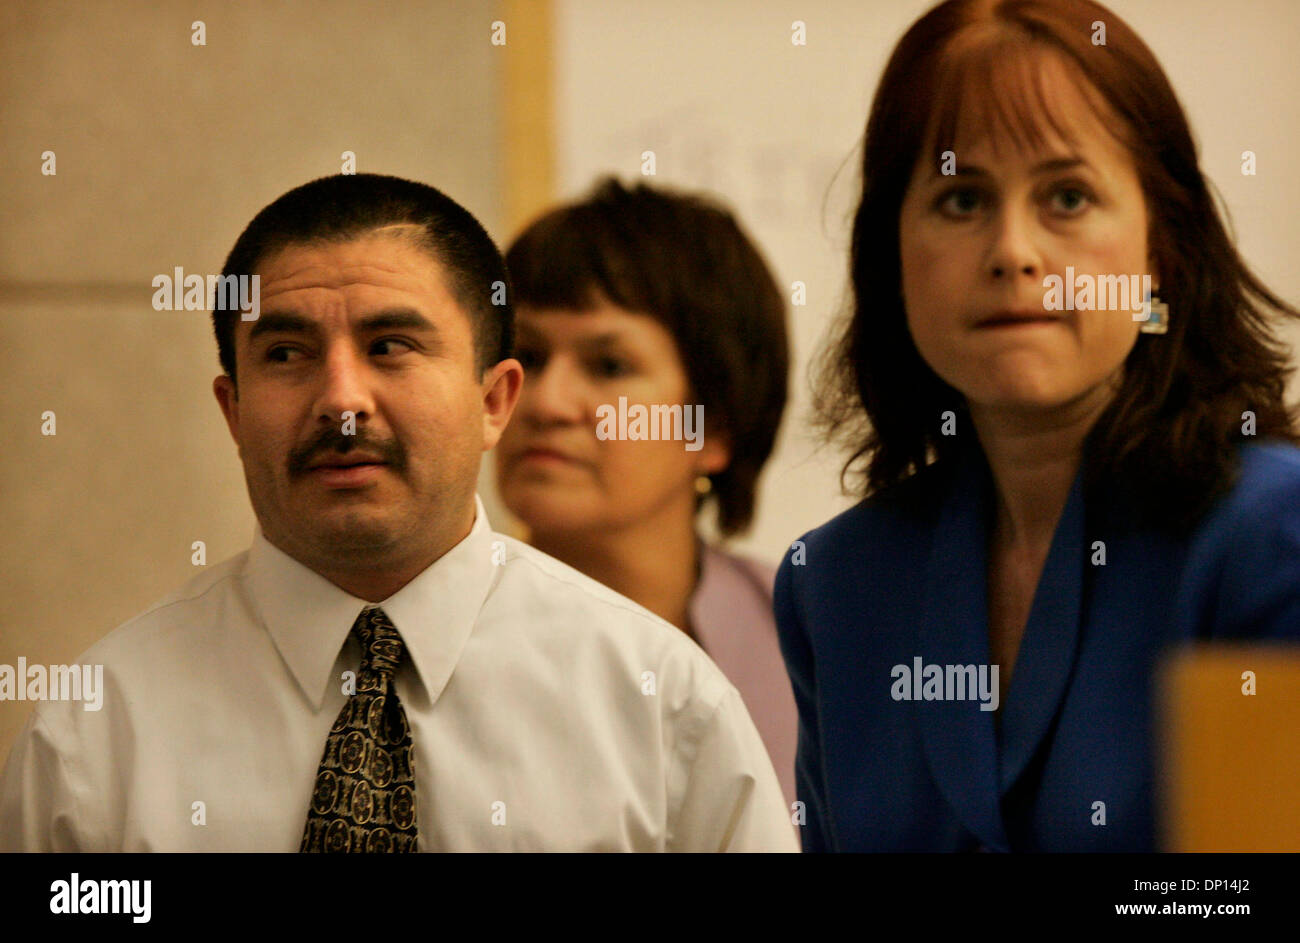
(1175, 426)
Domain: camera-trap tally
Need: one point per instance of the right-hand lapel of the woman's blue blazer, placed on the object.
(1050, 644)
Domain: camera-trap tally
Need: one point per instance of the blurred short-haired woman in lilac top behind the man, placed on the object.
(647, 300)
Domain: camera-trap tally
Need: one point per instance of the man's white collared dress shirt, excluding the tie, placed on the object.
(548, 713)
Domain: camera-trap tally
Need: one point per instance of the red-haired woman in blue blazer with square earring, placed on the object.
(1065, 473)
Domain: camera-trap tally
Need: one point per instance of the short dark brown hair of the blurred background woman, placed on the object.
(686, 262)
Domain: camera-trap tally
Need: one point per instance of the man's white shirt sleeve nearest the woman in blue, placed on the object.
(733, 801)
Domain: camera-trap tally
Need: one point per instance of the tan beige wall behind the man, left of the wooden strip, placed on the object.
(164, 153)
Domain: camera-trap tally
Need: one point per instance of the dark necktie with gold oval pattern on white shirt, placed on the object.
(365, 798)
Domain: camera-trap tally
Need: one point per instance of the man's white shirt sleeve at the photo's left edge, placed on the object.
(38, 803)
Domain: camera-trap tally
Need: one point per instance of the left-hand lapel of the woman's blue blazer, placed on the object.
(960, 741)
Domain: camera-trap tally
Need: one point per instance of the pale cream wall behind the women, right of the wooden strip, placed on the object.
(731, 106)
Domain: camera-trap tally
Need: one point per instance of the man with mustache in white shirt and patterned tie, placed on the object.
(380, 672)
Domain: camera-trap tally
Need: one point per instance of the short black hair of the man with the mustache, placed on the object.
(349, 206)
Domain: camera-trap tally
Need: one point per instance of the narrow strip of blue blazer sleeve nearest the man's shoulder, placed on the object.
(808, 756)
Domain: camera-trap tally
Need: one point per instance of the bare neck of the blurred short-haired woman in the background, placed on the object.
(655, 561)
